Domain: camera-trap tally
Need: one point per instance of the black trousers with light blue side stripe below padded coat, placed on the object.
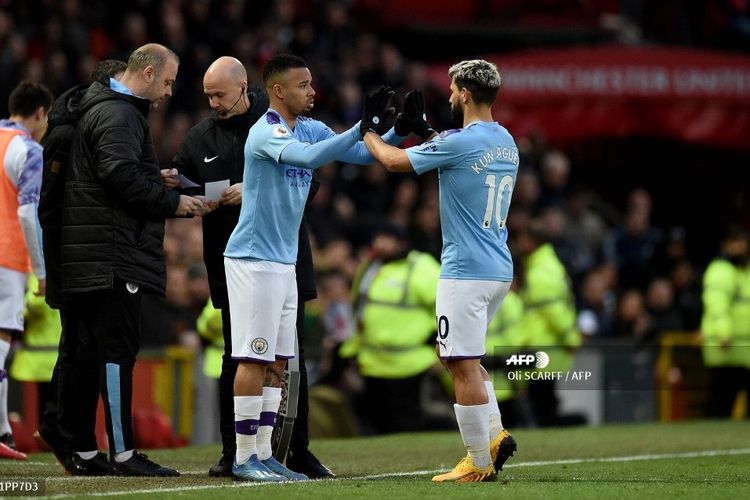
(110, 339)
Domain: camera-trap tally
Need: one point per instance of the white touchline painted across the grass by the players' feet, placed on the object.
(631, 458)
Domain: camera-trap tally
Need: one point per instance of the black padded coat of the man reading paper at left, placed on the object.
(115, 202)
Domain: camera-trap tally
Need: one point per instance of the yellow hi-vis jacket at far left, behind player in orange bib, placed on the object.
(36, 358)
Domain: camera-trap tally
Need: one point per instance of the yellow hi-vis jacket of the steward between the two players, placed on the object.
(395, 309)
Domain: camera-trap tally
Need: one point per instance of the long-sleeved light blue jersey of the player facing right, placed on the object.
(279, 164)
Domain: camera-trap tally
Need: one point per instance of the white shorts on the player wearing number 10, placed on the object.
(464, 310)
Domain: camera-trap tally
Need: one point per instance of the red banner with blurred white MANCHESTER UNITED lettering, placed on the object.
(694, 96)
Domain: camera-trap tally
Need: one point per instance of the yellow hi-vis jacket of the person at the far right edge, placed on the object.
(726, 314)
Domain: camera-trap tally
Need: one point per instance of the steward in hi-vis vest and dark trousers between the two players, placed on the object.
(394, 297)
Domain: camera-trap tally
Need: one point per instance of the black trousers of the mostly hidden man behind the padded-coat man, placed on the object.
(71, 389)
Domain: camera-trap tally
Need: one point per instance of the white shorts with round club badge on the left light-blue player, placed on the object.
(263, 309)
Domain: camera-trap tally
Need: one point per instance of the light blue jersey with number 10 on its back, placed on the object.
(477, 168)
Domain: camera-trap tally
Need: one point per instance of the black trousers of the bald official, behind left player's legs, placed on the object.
(299, 441)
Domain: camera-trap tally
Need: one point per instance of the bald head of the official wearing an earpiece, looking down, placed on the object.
(225, 85)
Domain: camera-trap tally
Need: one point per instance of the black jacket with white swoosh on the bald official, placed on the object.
(214, 150)
